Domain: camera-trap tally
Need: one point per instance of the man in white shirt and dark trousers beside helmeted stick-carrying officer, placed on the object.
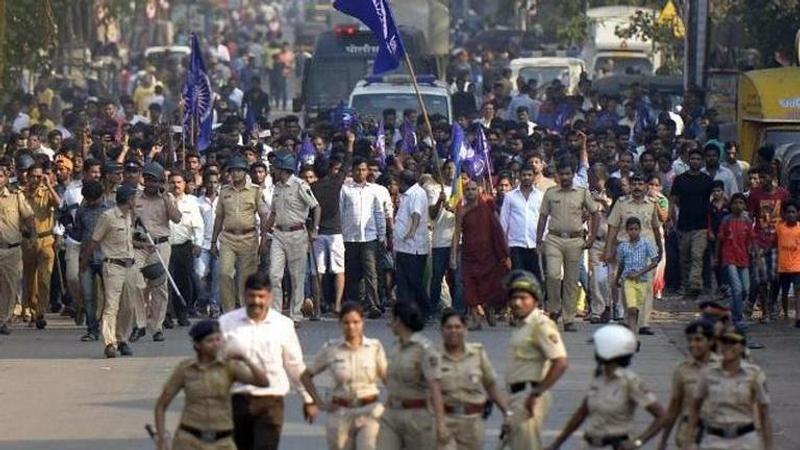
(185, 238)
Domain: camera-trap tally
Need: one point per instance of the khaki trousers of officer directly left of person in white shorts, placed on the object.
(289, 249)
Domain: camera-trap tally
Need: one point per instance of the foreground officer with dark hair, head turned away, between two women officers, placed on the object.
(413, 378)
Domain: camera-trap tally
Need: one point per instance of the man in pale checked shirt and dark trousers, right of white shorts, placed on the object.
(363, 230)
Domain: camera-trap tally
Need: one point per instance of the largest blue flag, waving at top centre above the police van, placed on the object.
(377, 15)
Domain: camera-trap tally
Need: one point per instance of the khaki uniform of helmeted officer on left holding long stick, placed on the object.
(151, 299)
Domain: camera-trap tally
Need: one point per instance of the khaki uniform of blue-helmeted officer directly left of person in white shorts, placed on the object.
(291, 203)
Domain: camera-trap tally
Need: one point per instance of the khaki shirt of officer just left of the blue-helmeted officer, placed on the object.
(238, 208)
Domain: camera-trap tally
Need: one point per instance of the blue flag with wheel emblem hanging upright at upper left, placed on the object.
(198, 100)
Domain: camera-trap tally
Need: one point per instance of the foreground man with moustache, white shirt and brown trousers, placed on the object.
(268, 338)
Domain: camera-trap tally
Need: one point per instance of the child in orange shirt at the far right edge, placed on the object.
(788, 233)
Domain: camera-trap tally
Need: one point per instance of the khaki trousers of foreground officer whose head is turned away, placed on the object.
(406, 429)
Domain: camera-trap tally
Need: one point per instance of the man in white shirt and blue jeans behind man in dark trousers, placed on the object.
(205, 265)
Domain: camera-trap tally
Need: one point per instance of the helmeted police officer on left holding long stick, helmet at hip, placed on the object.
(153, 209)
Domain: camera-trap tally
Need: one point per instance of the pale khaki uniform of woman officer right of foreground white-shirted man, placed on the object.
(356, 371)
